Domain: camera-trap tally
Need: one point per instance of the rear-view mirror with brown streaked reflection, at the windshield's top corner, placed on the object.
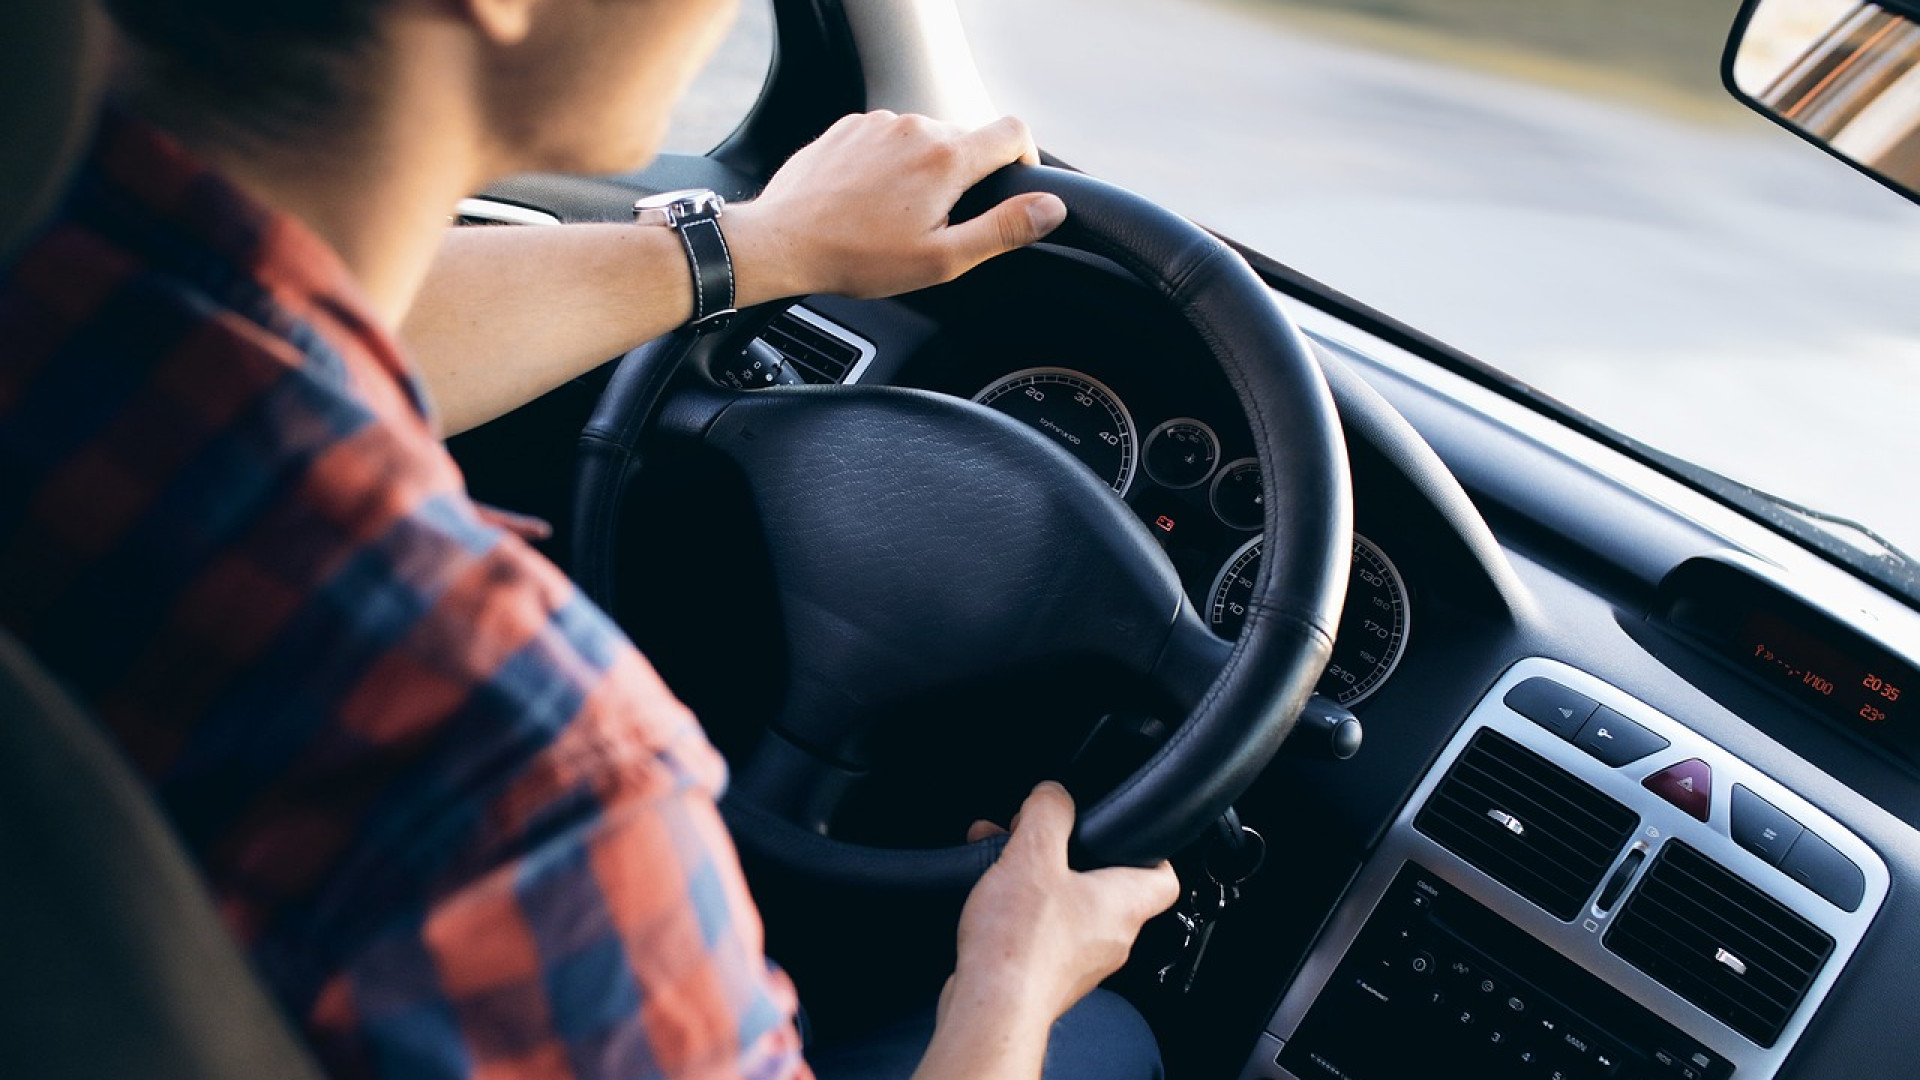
(1840, 74)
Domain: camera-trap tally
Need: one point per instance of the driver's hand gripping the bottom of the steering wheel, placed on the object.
(1036, 935)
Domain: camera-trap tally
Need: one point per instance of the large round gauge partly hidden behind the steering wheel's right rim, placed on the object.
(1374, 624)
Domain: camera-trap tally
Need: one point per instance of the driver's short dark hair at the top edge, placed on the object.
(272, 66)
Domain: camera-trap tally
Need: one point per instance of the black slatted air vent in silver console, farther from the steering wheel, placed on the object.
(1719, 943)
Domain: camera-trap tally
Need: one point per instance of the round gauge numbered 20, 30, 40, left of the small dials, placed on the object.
(1076, 412)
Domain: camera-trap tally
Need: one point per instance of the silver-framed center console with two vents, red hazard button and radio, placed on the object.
(1583, 889)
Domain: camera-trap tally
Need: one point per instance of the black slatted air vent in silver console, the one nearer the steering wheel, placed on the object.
(1529, 823)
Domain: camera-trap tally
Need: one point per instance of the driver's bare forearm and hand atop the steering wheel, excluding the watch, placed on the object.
(508, 314)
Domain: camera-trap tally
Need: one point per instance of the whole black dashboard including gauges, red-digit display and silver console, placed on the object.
(1737, 747)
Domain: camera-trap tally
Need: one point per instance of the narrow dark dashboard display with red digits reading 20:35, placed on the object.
(1836, 683)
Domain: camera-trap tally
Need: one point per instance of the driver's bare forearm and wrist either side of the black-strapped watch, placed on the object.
(512, 312)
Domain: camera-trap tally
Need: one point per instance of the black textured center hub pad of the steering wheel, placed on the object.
(903, 522)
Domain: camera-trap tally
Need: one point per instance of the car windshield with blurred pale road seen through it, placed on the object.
(1558, 187)
